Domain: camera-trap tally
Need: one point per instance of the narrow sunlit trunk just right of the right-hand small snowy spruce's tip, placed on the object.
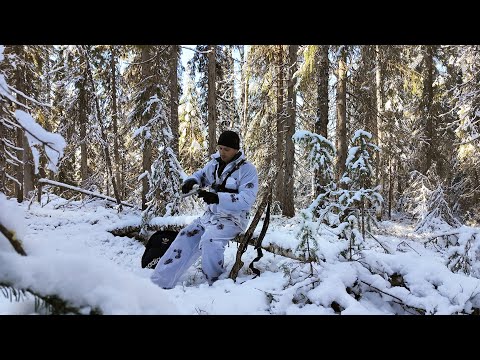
(378, 125)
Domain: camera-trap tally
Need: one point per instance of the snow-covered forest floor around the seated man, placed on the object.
(72, 253)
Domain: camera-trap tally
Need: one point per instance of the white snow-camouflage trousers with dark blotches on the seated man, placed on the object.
(205, 238)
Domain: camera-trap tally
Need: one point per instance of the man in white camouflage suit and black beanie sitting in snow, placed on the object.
(233, 184)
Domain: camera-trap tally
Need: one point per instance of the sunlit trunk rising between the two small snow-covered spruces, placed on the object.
(341, 142)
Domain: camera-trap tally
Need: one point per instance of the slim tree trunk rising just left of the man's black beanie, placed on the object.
(212, 101)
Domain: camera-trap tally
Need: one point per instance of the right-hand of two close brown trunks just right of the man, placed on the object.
(289, 206)
